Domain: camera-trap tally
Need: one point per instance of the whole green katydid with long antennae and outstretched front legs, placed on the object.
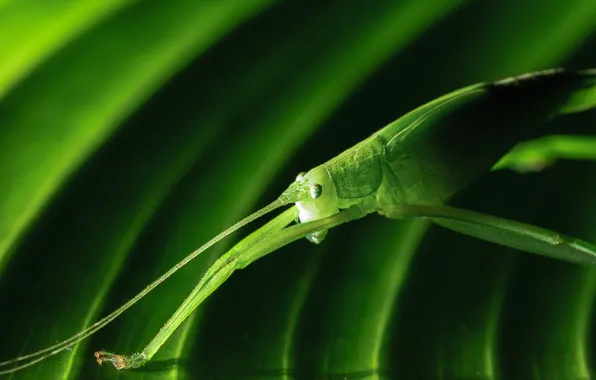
(409, 169)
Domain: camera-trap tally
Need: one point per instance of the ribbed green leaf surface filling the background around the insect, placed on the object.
(133, 131)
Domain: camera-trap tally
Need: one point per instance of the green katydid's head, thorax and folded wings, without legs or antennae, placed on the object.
(420, 158)
